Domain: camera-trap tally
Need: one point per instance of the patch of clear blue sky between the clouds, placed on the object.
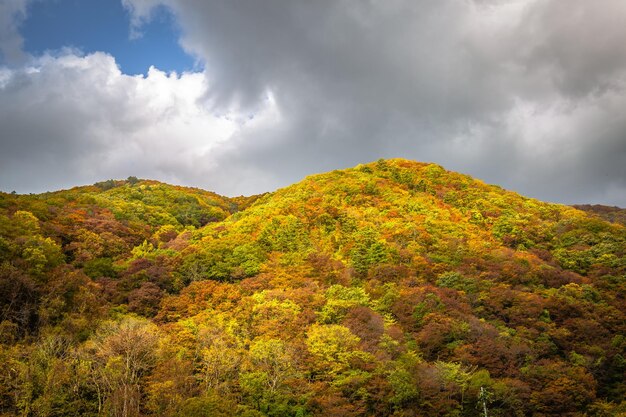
(104, 25)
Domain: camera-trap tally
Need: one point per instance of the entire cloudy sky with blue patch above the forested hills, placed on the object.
(246, 96)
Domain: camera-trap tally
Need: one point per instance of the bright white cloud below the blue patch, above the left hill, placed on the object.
(74, 119)
